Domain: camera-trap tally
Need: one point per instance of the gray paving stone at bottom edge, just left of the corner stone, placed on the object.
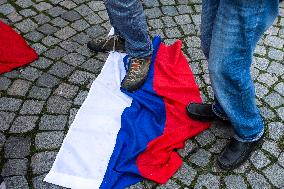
(257, 181)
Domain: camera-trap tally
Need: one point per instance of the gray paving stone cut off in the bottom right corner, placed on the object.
(275, 175)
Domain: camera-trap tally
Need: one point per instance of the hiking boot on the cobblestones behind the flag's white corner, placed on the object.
(109, 43)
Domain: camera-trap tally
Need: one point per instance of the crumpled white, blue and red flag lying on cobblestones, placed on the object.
(118, 138)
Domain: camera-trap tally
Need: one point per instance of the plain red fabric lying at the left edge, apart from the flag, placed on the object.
(14, 51)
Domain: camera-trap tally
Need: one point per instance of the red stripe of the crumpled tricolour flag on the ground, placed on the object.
(160, 160)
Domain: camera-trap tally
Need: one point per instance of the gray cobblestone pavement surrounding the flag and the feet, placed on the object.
(38, 102)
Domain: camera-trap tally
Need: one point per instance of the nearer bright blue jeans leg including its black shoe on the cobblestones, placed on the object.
(237, 29)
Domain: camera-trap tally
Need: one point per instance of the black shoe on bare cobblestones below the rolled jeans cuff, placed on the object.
(235, 154)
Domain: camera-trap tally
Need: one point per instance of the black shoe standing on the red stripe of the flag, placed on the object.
(201, 112)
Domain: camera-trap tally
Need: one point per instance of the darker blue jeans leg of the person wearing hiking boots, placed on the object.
(129, 21)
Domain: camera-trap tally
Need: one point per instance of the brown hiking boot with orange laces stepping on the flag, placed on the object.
(137, 73)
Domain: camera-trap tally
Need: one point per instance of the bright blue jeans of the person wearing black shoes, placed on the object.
(230, 30)
